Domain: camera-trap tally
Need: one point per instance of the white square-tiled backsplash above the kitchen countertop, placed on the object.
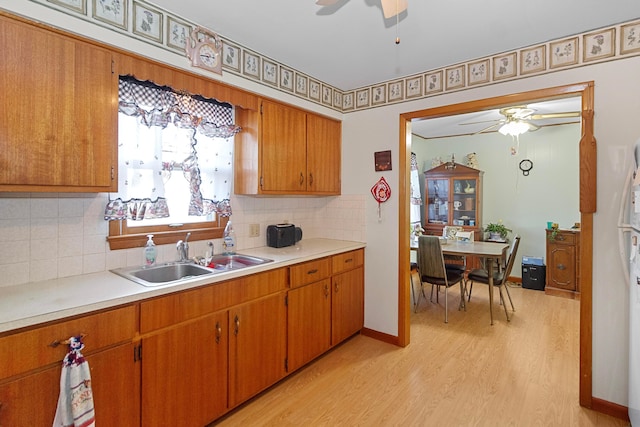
(46, 236)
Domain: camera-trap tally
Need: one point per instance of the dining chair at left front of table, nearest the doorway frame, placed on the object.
(432, 270)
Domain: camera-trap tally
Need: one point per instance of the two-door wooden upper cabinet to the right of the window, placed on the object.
(285, 150)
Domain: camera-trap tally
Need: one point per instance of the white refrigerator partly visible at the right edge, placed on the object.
(629, 241)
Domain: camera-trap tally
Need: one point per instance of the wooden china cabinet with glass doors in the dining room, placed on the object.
(453, 196)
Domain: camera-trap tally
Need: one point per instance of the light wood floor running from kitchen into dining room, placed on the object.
(464, 373)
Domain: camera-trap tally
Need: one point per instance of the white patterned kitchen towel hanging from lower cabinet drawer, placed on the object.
(75, 404)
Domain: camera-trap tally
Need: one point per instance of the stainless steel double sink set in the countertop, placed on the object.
(175, 272)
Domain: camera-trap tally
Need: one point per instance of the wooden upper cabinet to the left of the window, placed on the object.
(58, 112)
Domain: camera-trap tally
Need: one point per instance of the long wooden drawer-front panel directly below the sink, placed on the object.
(172, 309)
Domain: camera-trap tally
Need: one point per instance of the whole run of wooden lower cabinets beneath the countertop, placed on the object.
(187, 358)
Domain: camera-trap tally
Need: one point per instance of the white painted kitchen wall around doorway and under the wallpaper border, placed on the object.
(617, 106)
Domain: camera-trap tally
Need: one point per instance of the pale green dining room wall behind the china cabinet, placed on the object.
(524, 203)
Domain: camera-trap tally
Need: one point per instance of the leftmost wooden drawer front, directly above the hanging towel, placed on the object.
(24, 351)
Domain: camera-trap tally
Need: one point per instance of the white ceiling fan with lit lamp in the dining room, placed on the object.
(517, 120)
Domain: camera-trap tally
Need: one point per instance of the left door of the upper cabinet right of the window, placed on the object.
(283, 148)
